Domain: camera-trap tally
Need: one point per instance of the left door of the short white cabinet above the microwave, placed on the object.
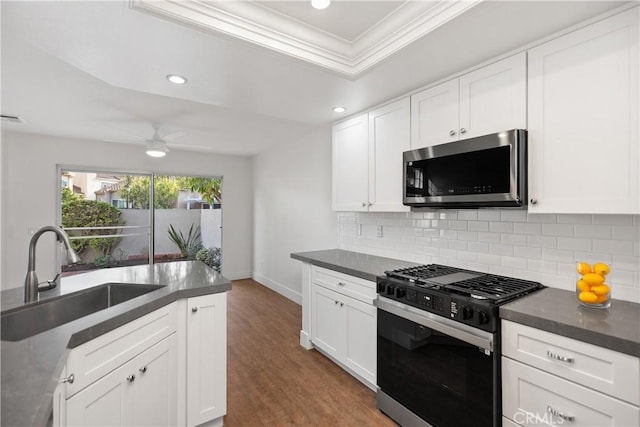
(434, 115)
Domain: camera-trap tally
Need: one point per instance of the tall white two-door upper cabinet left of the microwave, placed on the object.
(367, 160)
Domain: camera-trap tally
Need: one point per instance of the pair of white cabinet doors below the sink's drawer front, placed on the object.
(139, 393)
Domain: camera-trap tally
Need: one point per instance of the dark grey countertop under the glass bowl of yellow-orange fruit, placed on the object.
(558, 311)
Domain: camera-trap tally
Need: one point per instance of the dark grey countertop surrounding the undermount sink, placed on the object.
(31, 368)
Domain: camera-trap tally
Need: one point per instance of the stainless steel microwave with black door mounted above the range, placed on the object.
(486, 171)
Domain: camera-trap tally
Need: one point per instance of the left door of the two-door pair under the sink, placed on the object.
(106, 402)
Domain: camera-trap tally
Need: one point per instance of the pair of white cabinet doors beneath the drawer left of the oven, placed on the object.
(345, 330)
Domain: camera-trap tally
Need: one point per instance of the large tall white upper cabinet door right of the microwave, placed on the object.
(583, 120)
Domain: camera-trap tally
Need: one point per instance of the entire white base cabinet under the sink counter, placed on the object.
(166, 368)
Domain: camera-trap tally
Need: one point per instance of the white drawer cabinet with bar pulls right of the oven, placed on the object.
(548, 379)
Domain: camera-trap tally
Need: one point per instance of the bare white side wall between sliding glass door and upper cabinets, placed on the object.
(292, 209)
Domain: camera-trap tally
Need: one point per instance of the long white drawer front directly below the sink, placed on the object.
(98, 357)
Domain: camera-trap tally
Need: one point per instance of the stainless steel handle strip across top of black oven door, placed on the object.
(457, 330)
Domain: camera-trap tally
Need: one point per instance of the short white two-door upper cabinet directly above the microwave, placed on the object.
(488, 100)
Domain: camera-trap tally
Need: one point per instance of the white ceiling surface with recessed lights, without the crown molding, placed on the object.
(96, 70)
